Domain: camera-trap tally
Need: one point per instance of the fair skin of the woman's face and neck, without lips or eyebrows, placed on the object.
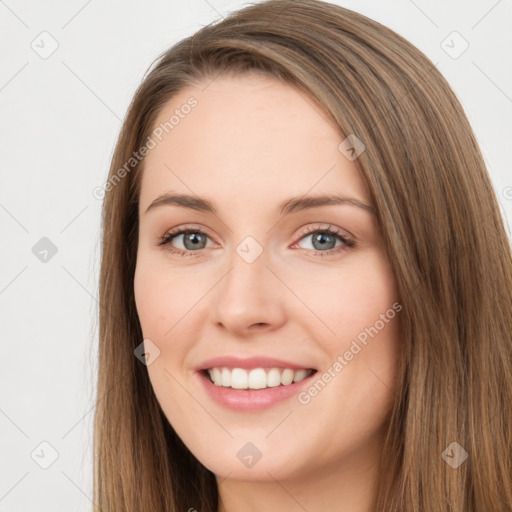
(251, 143)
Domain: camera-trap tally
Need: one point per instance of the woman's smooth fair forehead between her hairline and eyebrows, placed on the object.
(250, 133)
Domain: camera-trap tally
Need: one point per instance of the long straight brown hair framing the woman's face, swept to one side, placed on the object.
(445, 238)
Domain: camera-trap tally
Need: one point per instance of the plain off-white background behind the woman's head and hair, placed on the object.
(61, 114)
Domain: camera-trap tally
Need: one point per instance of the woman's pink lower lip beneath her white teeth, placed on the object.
(251, 399)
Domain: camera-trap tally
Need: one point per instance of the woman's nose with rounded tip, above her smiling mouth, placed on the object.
(249, 298)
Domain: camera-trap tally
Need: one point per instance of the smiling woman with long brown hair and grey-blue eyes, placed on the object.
(239, 371)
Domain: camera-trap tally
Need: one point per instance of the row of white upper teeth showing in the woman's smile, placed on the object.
(258, 378)
